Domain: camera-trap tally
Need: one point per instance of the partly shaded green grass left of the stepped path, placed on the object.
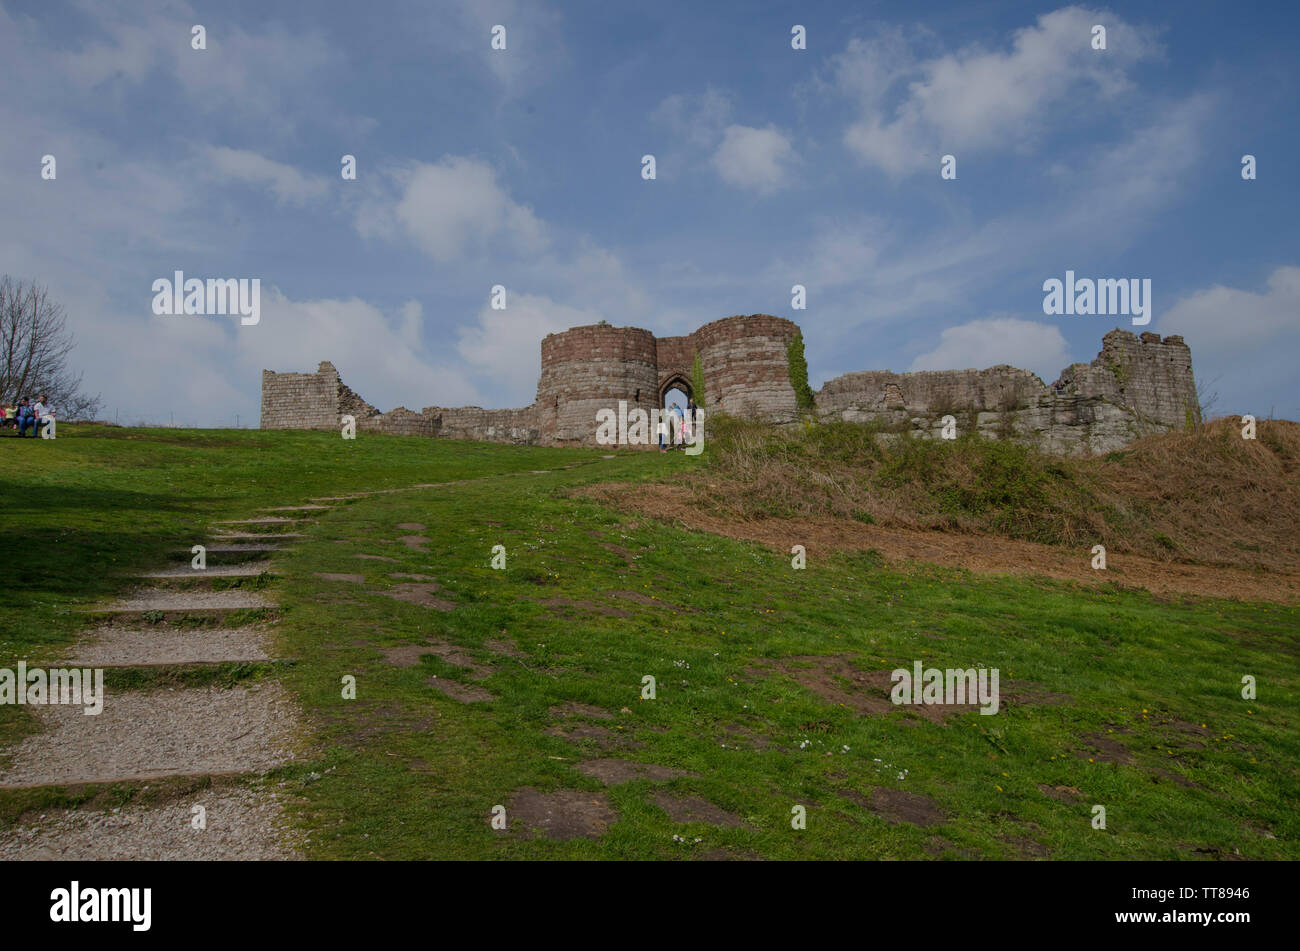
(81, 515)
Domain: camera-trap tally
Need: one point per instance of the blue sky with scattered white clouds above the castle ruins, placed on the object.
(523, 168)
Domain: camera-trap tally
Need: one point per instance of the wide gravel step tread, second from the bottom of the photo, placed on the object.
(145, 735)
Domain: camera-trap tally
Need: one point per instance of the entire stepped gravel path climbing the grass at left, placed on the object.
(148, 735)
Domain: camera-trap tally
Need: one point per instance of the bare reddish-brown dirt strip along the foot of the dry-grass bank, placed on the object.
(983, 554)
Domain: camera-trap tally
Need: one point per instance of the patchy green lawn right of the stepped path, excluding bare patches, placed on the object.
(414, 775)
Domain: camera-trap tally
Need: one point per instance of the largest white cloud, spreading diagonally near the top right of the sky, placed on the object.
(977, 101)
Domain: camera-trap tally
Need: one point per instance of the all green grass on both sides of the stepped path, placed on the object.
(405, 772)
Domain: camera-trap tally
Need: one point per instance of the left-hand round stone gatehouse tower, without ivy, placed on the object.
(588, 370)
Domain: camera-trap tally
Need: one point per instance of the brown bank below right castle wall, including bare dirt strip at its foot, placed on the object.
(1195, 513)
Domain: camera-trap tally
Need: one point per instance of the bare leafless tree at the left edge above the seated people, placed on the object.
(34, 349)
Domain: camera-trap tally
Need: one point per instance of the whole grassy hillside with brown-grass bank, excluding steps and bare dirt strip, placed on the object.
(525, 688)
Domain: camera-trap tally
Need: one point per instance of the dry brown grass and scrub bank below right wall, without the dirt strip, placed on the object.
(1207, 497)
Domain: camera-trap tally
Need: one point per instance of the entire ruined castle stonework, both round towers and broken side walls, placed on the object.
(1136, 387)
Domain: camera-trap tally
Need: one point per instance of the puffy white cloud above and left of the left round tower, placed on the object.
(452, 210)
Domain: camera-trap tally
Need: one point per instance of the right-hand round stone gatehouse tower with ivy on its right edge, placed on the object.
(747, 370)
